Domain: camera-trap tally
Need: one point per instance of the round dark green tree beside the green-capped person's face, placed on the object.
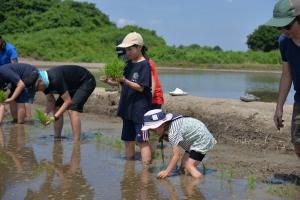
(264, 38)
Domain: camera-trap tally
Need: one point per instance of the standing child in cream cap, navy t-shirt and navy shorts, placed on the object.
(135, 99)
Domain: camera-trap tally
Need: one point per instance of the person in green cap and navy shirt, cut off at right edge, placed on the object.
(286, 17)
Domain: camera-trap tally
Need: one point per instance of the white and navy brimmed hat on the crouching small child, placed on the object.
(155, 118)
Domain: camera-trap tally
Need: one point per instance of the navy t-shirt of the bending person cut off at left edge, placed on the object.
(13, 73)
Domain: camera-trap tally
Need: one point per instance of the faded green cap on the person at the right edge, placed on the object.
(285, 11)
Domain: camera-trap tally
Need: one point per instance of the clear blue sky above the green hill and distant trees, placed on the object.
(225, 23)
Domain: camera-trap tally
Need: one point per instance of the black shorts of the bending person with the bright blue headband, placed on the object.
(79, 96)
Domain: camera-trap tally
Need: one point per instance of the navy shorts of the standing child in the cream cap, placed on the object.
(131, 131)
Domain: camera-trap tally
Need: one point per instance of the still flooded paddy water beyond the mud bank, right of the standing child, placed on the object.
(218, 84)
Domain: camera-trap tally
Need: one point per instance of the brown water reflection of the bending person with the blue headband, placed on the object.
(62, 180)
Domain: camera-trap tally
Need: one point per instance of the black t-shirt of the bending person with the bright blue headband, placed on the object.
(66, 78)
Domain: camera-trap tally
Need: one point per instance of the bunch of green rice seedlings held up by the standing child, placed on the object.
(114, 69)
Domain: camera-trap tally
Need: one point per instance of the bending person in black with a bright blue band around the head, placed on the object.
(74, 85)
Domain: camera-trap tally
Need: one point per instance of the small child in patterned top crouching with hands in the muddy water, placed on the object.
(186, 132)
